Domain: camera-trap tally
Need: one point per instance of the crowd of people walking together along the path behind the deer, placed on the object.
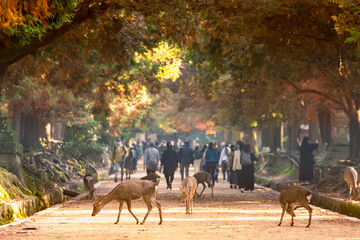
(236, 161)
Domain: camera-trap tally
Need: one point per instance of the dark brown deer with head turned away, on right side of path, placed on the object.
(292, 195)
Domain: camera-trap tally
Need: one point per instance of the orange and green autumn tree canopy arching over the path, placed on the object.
(254, 61)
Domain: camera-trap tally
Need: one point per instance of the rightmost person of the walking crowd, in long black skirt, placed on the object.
(248, 158)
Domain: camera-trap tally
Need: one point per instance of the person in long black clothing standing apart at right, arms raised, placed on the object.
(307, 160)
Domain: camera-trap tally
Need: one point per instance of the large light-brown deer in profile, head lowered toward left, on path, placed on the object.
(128, 191)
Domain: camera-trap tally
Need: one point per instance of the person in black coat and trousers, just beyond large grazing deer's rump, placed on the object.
(170, 163)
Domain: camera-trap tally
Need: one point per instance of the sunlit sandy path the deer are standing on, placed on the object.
(229, 214)
